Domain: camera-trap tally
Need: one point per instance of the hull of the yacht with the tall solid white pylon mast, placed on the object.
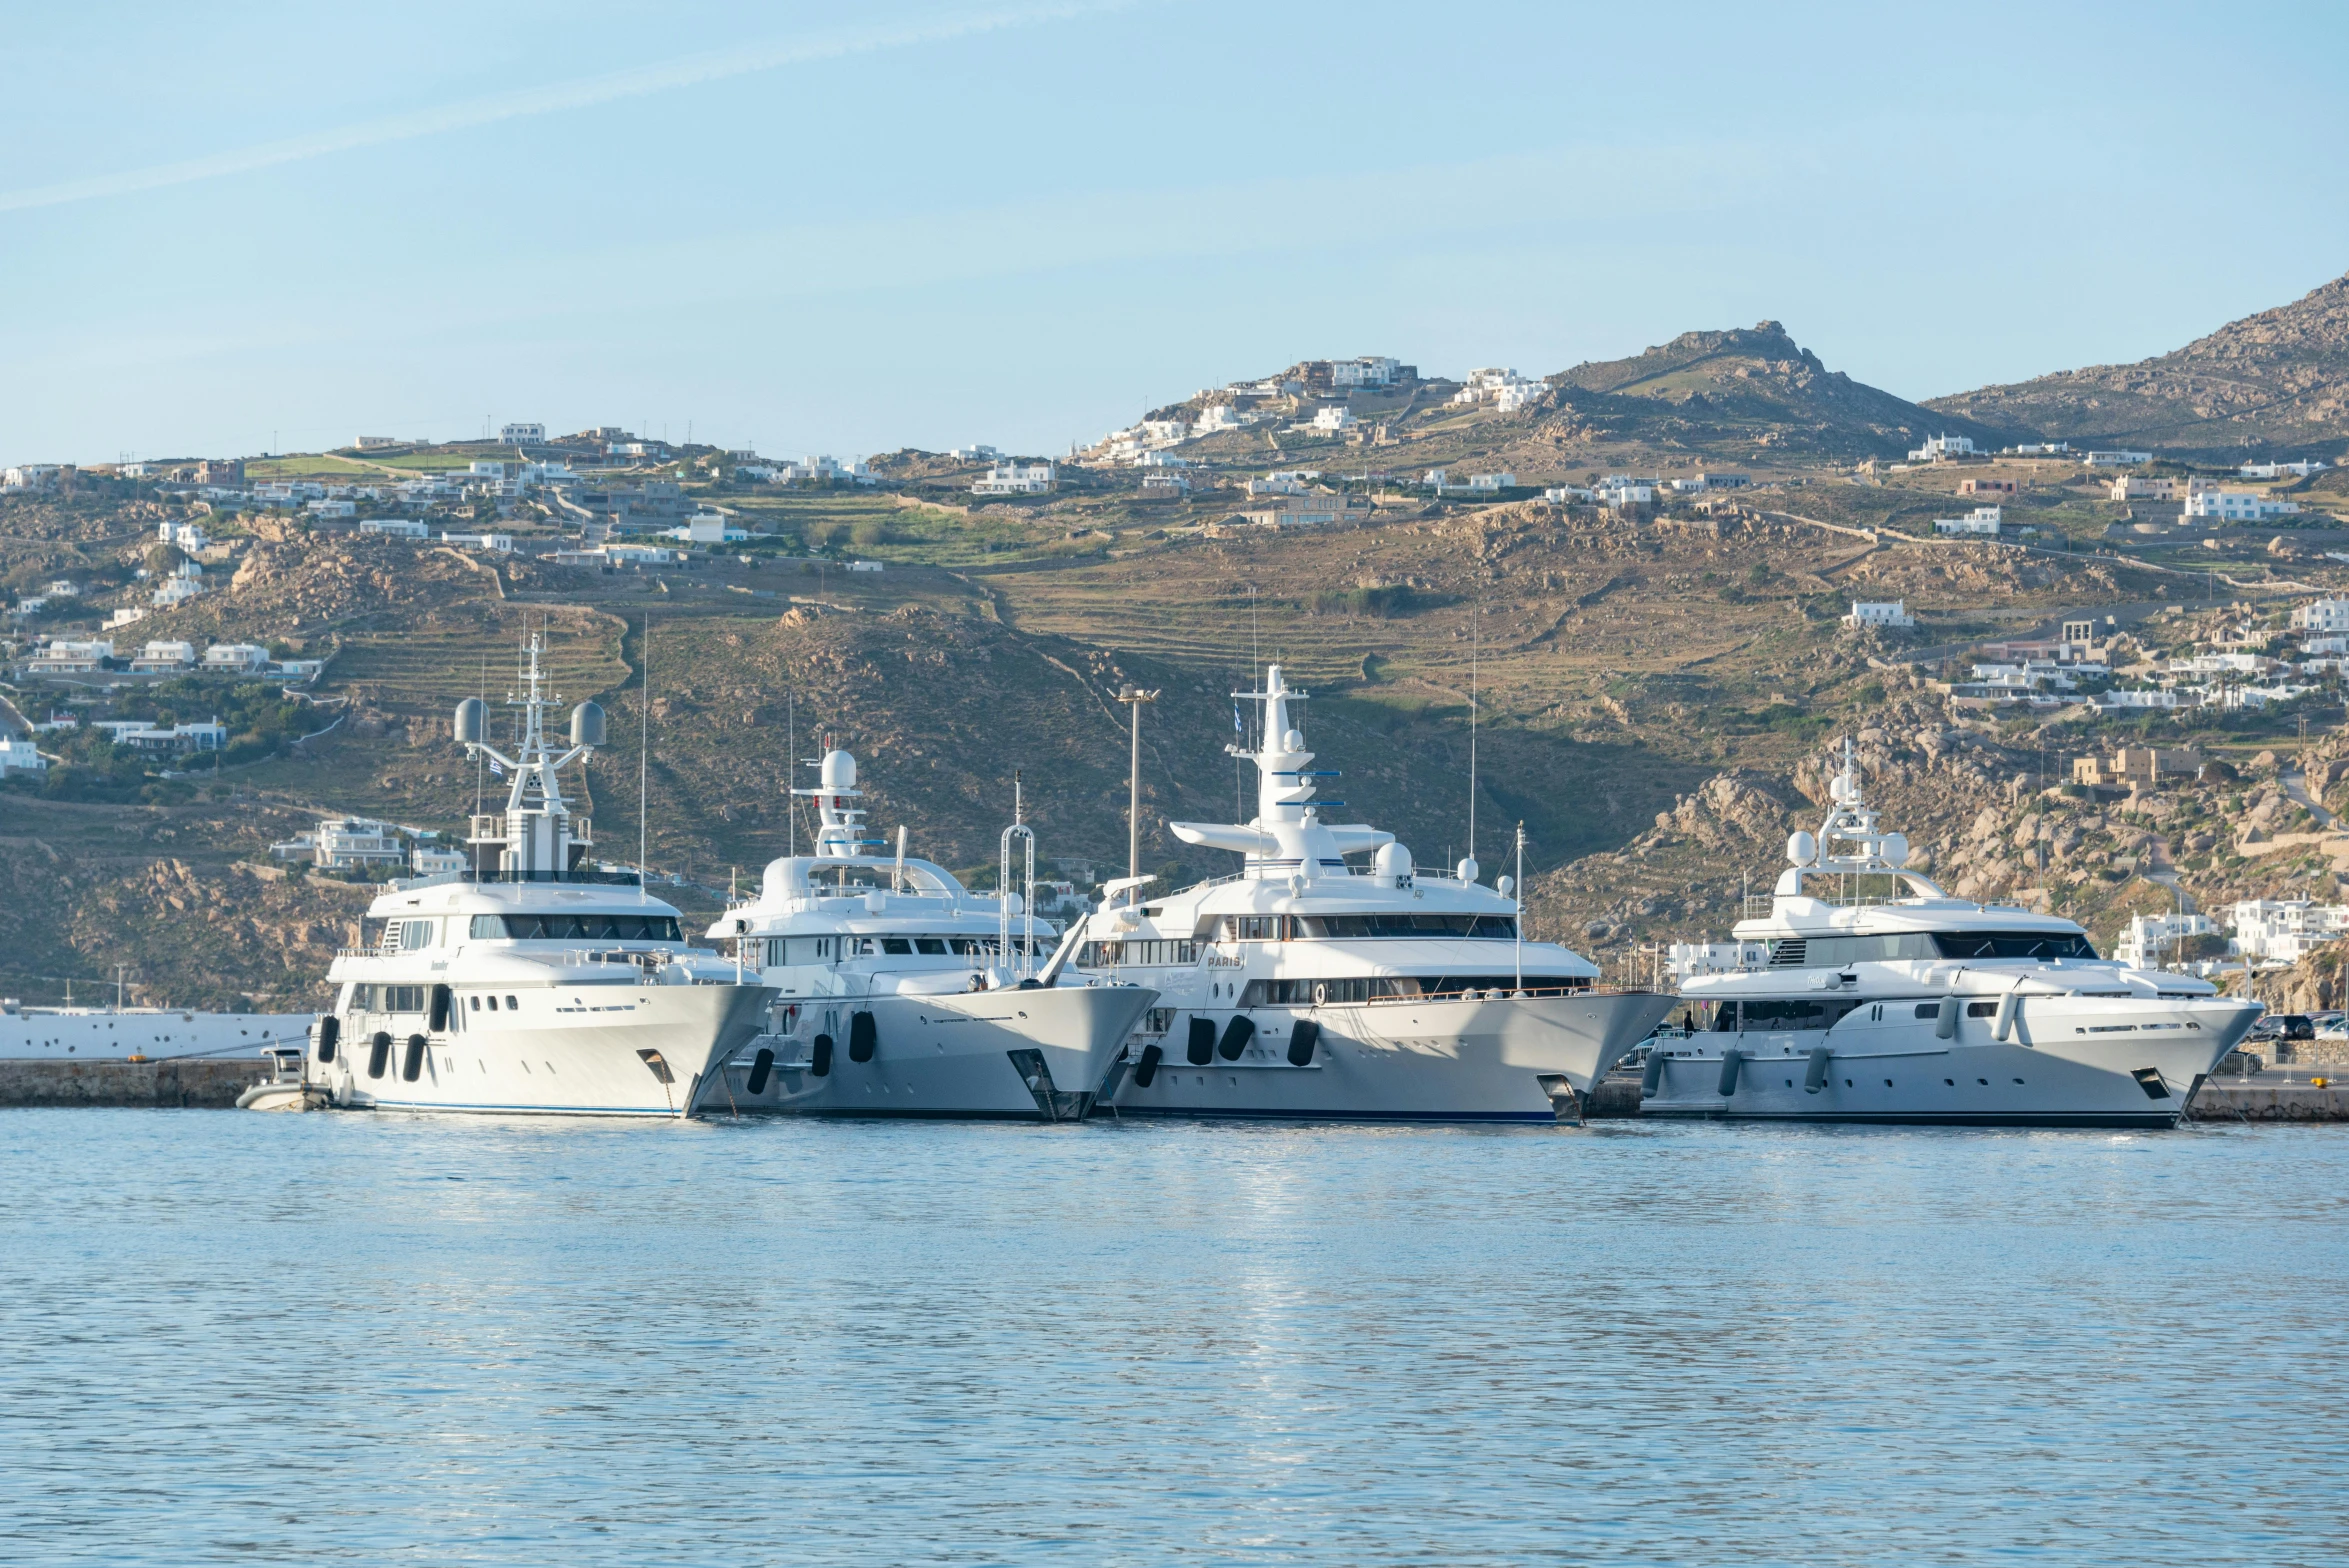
(1453, 1060)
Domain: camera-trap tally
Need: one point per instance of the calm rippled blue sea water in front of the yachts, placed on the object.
(382, 1339)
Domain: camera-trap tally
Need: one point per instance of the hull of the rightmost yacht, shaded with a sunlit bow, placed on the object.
(2068, 1062)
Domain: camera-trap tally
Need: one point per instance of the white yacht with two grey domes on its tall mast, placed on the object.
(532, 982)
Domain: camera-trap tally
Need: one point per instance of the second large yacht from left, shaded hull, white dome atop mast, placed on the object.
(903, 994)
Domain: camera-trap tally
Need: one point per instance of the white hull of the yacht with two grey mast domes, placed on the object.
(588, 1062)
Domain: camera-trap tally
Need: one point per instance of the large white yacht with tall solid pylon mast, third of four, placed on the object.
(1305, 987)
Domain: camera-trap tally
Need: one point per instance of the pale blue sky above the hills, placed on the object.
(938, 222)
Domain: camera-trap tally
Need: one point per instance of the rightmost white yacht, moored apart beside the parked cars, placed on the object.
(1871, 996)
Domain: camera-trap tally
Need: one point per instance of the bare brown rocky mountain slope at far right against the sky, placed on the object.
(2277, 381)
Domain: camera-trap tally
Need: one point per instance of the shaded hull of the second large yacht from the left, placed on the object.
(1023, 1055)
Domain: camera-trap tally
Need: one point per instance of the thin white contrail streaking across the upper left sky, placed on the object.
(586, 93)
